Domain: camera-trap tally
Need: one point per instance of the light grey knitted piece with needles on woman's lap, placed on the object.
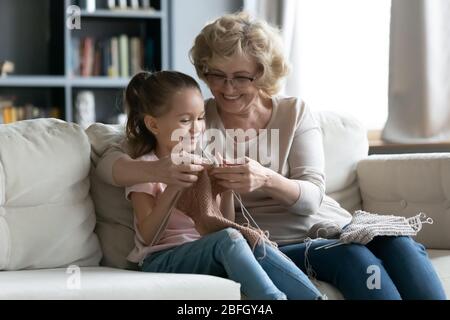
(365, 226)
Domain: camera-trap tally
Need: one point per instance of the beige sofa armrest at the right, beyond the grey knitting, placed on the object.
(406, 185)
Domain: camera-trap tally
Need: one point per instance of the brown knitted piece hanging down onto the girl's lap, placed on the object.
(199, 203)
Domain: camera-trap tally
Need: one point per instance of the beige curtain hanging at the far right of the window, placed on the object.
(419, 84)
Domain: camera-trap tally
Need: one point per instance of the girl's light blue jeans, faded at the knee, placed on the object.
(264, 274)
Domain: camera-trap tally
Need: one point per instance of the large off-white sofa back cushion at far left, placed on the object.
(46, 213)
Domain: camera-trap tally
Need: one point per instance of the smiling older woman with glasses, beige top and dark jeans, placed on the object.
(242, 63)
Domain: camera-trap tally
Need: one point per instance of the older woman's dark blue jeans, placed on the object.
(400, 263)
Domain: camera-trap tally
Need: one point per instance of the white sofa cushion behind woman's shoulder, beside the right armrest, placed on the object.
(345, 144)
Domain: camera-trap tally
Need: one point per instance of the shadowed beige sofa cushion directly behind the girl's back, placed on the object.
(114, 213)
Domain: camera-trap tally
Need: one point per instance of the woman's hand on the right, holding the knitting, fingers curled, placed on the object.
(243, 178)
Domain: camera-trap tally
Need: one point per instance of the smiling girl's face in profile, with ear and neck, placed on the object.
(186, 115)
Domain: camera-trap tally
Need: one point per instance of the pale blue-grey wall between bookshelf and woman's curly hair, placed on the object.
(187, 19)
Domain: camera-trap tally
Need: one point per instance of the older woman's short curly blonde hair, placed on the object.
(238, 34)
